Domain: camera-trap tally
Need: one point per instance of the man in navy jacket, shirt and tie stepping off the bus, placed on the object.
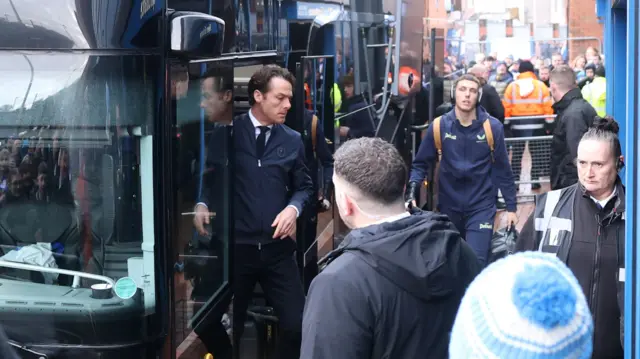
(272, 187)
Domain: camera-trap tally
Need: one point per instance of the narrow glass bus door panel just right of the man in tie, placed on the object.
(315, 229)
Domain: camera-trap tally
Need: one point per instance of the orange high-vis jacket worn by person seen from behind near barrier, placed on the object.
(527, 96)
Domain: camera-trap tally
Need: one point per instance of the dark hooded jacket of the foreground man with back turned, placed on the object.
(391, 290)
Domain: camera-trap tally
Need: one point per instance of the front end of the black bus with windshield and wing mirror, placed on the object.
(88, 182)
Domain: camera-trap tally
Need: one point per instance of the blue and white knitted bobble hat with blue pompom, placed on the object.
(525, 306)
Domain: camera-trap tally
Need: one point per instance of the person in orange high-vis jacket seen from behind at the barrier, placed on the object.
(526, 97)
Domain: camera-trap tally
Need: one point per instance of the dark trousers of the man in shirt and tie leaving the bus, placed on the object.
(274, 267)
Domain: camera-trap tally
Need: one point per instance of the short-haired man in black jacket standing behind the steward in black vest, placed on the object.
(574, 117)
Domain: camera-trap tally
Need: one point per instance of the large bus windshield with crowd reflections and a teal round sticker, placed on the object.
(76, 196)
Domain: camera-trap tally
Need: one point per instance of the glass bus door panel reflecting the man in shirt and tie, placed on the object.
(202, 117)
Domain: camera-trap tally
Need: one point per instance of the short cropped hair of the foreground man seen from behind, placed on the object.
(374, 167)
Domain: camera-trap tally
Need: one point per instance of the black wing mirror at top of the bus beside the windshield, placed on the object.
(195, 34)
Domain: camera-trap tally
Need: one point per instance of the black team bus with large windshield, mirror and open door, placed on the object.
(106, 109)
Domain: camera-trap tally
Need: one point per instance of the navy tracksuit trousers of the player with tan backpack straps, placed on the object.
(476, 227)
